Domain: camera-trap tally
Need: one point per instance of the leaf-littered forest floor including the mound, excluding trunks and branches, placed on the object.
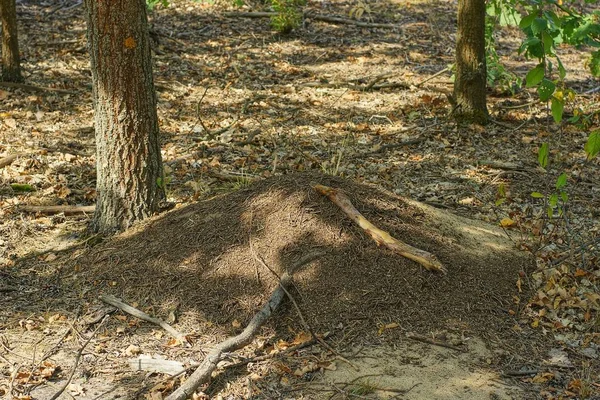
(249, 119)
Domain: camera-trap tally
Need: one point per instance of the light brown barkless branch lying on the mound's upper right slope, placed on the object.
(427, 260)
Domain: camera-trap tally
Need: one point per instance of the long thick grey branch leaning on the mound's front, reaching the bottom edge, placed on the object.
(203, 372)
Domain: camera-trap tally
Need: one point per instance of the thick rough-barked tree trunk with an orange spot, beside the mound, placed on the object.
(130, 182)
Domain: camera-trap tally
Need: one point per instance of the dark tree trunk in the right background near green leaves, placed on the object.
(470, 82)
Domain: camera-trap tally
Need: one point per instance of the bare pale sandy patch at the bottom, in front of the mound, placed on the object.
(421, 372)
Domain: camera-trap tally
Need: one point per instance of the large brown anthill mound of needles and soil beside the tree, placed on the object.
(199, 257)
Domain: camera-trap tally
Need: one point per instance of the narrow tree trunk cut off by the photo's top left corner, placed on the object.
(11, 63)
